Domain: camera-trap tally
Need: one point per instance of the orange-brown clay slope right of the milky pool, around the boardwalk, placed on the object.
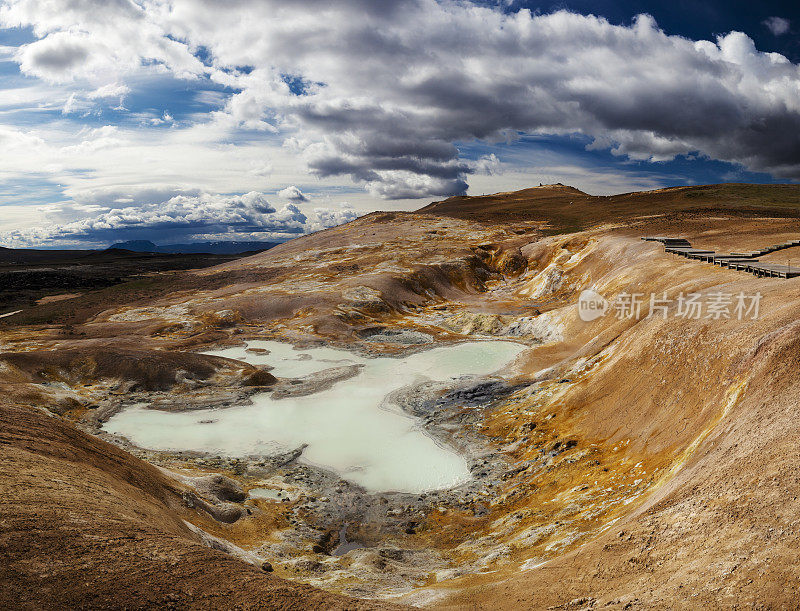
(707, 410)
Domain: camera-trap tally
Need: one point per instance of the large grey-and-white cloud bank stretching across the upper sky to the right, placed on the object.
(391, 88)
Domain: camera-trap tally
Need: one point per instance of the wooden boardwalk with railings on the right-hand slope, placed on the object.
(740, 261)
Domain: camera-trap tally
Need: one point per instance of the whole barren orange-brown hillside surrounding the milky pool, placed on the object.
(628, 461)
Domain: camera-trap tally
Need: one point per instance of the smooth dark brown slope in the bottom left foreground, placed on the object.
(86, 525)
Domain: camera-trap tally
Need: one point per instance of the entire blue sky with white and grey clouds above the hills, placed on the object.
(203, 120)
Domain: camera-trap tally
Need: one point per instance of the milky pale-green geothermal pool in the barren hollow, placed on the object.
(351, 428)
